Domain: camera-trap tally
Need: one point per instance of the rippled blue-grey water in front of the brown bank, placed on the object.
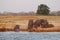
(29, 35)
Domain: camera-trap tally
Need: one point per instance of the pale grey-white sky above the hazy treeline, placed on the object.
(27, 5)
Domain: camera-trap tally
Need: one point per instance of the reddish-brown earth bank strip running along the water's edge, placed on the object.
(39, 29)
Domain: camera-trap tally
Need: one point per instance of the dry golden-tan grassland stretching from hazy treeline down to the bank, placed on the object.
(9, 22)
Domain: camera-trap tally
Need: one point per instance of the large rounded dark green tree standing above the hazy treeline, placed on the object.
(43, 9)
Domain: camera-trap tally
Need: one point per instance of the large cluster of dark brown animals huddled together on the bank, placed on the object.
(39, 23)
